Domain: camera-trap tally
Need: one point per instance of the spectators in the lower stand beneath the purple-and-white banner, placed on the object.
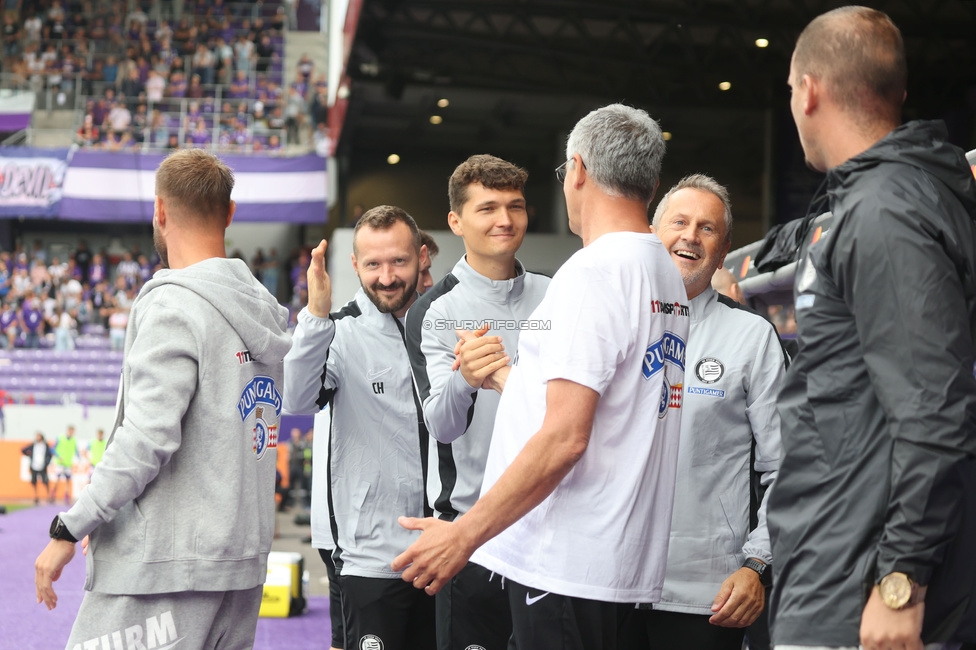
(42, 295)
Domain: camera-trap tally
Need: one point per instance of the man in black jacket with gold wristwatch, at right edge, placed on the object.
(873, 517)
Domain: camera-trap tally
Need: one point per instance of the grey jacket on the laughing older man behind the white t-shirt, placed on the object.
(735, 368)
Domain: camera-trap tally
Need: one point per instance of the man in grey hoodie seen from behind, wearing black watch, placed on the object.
(177, 550)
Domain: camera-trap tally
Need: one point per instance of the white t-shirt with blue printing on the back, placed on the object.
(615, 319)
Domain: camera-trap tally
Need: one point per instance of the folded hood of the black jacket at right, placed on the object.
(921, 144)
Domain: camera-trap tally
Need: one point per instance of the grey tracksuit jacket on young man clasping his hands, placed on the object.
(460, 418)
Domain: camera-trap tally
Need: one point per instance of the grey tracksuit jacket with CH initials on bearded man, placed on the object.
(356, 361)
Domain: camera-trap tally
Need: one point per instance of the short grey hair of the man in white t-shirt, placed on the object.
(622, 149)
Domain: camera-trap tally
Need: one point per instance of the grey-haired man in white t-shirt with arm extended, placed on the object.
(575, 509)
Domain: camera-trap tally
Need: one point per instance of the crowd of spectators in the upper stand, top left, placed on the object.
(211, 76)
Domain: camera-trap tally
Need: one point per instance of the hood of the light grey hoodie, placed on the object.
(232, 289)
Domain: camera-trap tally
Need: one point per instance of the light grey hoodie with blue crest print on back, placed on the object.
(183, 499)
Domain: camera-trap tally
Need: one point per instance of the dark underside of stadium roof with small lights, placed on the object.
(519, 73)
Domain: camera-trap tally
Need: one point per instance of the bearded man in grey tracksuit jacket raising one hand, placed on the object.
(355, 360)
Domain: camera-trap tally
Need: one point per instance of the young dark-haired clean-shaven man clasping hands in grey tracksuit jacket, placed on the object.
(488, 286)
